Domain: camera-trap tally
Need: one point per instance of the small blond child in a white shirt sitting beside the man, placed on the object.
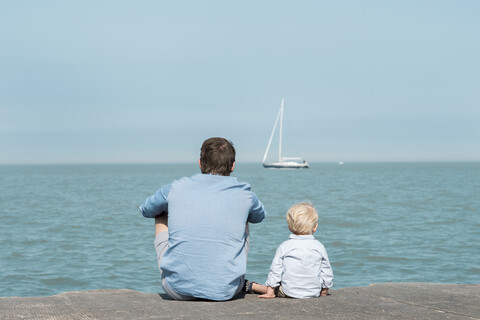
(301, 268)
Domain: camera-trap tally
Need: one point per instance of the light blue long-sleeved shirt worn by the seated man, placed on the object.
(207, 216)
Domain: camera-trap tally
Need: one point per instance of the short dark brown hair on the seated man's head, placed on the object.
(217, 156)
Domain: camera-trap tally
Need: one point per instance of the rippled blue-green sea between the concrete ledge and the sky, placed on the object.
(78, 227)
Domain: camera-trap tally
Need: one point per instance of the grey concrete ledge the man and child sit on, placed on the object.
(377, 301)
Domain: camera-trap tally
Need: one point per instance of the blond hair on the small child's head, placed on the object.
(302, 218)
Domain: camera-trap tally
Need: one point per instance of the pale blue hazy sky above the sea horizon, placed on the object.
(148, 81)
